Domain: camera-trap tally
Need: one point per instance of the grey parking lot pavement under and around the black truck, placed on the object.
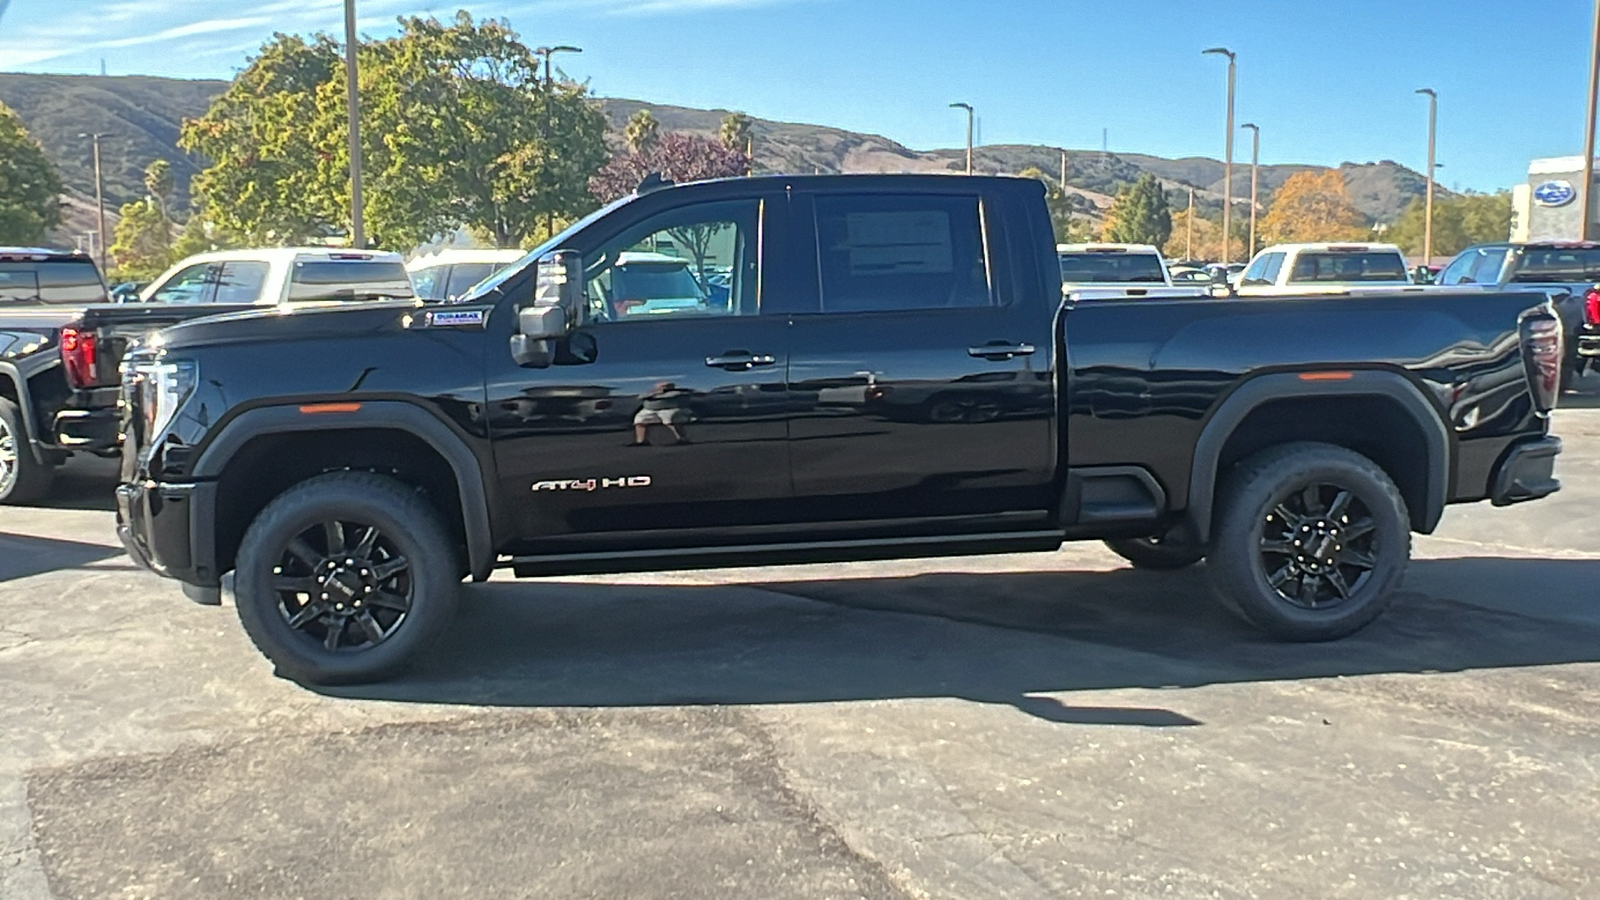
(1018, 726)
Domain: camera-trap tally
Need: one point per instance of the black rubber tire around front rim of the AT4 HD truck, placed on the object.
(410, 529)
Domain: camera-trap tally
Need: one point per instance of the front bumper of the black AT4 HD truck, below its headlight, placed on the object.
(167, 529)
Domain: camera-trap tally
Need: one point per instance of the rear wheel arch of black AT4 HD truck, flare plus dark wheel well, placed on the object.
(1418, 459)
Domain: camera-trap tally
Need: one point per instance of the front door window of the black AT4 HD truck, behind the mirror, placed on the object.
(697, 260)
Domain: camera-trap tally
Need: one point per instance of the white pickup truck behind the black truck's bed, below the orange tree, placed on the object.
(1324, 268)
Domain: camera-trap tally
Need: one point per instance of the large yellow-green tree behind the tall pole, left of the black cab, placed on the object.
(458, 131)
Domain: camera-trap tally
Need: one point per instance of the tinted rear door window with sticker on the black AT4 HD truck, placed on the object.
(884, 252)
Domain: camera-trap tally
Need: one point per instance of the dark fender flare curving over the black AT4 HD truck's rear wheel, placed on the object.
(1290, 385)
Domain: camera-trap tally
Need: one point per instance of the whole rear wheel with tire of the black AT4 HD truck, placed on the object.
(1311, 544)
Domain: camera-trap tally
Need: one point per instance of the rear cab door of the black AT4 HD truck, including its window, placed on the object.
(922, 368)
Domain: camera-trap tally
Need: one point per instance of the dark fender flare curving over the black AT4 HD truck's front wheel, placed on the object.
(374, 414)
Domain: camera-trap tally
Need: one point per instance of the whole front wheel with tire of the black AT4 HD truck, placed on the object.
(345, 579)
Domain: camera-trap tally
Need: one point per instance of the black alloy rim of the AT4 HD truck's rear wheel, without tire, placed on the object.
(1318, 547)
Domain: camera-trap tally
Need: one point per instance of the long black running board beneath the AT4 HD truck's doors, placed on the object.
(785, 555)
